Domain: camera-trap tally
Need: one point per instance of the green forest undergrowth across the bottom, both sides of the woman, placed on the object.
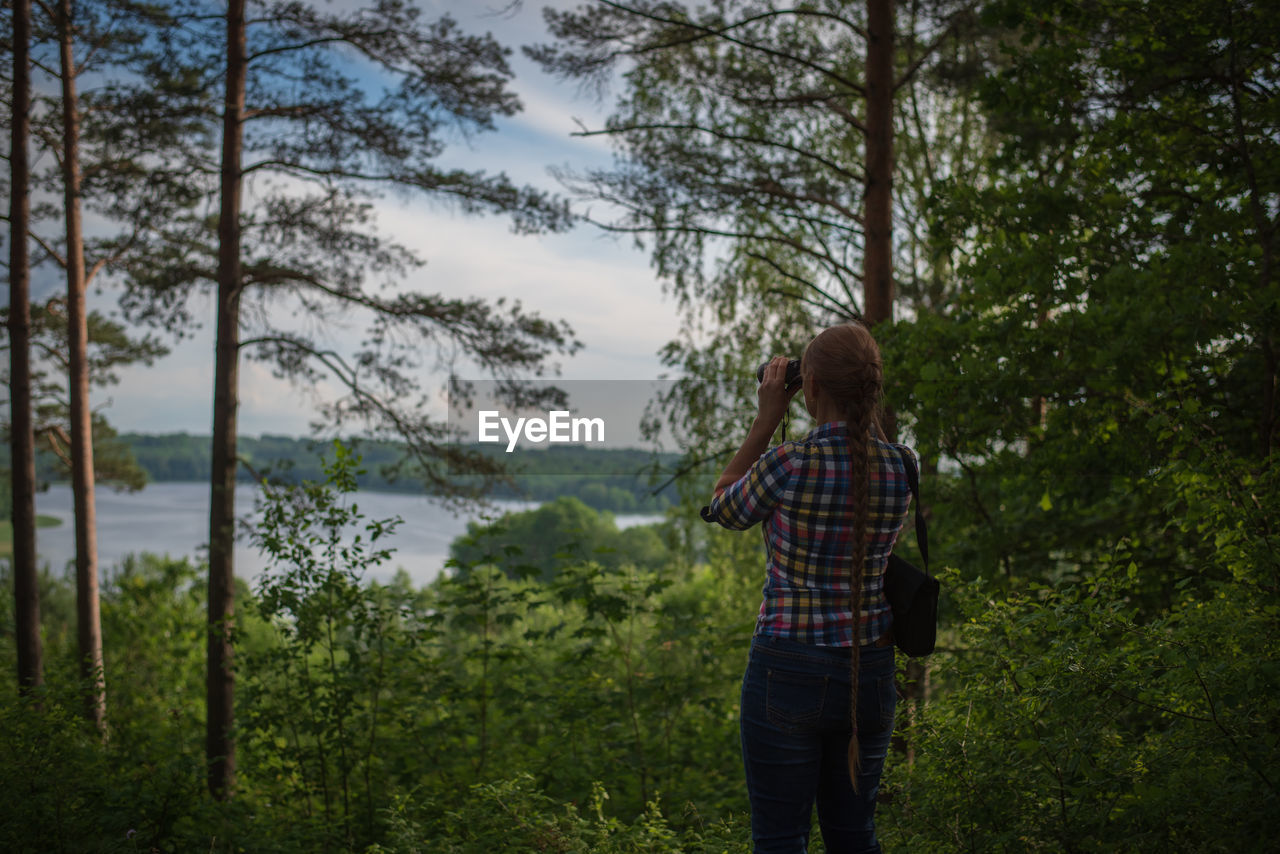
(597, 711)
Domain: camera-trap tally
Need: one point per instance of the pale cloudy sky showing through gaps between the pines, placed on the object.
(601, 285)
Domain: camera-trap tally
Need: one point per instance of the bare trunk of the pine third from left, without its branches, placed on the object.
(220, 746)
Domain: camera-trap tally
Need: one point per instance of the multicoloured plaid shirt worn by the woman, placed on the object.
(801, 491)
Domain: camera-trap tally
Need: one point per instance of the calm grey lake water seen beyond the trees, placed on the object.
(173, 519)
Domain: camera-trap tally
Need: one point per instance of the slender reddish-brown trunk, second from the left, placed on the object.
(88, 620)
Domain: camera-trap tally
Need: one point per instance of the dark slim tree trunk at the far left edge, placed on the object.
(26, 590)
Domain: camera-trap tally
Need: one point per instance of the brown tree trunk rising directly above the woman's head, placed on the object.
(879, 198)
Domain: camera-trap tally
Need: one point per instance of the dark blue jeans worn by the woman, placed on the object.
(796, 741)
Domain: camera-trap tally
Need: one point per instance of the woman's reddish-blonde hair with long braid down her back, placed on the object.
(847, 363)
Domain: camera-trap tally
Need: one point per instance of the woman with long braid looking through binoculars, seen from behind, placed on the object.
(830, 503)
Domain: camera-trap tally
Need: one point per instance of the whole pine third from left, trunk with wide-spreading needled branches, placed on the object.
(289, 97)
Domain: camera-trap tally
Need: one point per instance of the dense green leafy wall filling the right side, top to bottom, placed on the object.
(1098, 405)
